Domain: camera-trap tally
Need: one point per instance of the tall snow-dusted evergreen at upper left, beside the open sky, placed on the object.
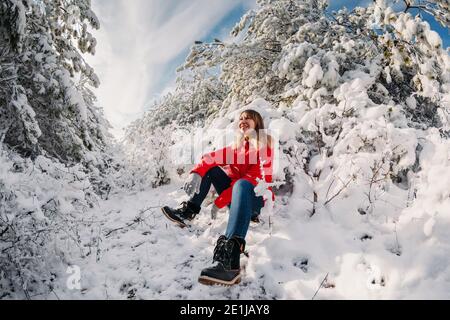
(47, 104)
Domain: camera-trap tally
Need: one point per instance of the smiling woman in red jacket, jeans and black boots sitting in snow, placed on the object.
(234, 171)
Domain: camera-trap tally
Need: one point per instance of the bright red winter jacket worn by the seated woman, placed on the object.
(239, 163)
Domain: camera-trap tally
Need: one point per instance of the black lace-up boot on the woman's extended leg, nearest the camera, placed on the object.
(227, 271)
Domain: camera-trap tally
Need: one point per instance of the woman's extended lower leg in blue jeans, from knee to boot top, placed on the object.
(243, 204)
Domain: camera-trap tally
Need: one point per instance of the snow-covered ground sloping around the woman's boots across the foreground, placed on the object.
(142, 255)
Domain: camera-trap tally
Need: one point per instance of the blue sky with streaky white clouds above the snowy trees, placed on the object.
(141, 43)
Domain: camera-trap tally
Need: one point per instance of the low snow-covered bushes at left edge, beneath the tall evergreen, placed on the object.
(43, 214)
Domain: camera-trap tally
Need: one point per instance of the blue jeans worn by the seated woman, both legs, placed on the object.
(244, 202)
